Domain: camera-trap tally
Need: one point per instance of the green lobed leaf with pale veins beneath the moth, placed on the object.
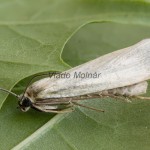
(32, 37)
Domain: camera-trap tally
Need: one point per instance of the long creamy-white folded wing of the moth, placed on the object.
(121, 68)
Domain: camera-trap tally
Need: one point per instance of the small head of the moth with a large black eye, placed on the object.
(24, 103)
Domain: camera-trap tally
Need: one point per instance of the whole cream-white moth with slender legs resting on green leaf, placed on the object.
(120, 74)
